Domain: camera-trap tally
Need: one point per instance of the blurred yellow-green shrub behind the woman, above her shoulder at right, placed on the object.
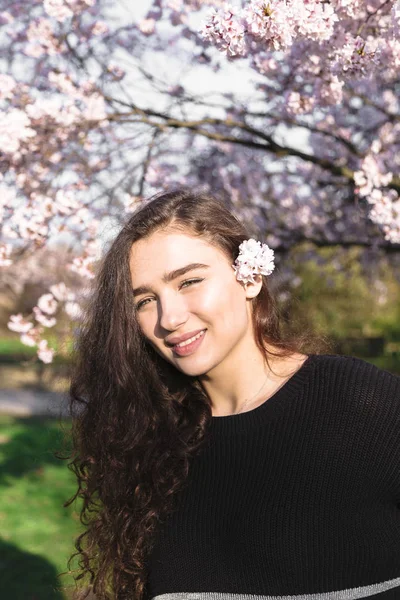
(344, 300)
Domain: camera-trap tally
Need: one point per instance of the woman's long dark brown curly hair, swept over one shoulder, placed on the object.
(136, 420)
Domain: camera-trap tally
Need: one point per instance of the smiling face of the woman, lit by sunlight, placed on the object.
(206, 298)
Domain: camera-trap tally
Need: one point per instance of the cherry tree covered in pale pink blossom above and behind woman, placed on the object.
(93, 119)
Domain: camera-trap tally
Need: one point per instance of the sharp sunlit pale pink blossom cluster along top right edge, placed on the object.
(278, 25)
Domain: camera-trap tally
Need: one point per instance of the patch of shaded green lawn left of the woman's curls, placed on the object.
(36, 532)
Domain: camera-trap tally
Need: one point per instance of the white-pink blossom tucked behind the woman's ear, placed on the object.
(253, 259)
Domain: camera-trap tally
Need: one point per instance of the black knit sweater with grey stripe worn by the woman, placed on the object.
(297, 499)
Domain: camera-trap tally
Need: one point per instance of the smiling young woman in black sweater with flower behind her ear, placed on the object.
(234, 463)
